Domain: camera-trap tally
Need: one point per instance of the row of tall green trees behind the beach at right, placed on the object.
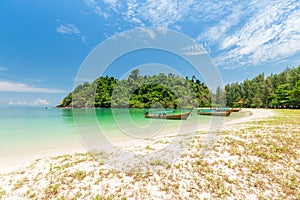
(275, 91)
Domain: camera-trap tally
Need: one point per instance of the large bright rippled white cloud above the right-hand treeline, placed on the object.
(271, 32)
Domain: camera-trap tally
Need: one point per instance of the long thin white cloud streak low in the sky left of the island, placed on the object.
(20, 87)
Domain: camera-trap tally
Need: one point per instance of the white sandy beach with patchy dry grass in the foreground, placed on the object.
(247, 158)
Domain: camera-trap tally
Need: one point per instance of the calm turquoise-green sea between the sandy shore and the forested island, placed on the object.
(37, 131)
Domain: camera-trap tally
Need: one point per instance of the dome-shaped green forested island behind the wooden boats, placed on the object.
(167, 91)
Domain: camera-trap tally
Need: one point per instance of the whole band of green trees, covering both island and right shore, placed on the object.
(171, 91)
